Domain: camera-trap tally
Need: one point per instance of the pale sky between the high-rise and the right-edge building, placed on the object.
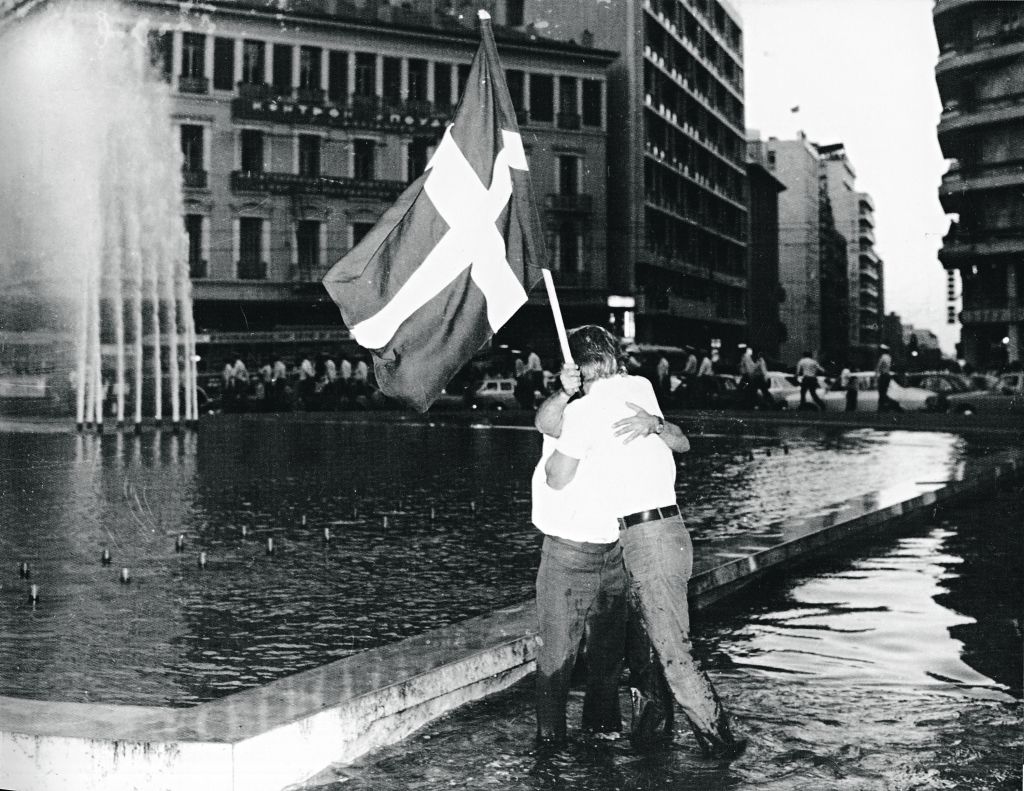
(863, 73)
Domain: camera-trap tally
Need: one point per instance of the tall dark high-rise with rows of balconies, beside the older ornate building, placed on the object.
(677, 201)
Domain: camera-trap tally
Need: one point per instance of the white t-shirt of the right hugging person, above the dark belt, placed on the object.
(620, 479)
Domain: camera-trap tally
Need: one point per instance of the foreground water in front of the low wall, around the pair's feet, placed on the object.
(861, 676)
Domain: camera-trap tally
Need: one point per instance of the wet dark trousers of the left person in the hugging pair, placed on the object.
(580, 589)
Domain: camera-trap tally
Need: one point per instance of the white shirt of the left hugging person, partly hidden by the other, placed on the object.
(569, 513)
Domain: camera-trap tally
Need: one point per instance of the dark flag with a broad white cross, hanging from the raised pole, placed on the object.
(453, 260)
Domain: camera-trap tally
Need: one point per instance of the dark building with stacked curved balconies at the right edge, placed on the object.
(982, 132)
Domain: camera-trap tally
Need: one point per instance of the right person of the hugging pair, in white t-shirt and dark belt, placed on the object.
(634, 481)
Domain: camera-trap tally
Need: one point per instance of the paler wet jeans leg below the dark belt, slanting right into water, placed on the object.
(659, 558)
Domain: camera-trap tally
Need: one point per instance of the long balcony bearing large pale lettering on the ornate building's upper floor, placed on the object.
(359, 112)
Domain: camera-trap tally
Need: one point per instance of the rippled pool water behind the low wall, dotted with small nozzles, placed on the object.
(457, 539)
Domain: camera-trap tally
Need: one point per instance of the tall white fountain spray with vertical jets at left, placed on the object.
(94, 259)
